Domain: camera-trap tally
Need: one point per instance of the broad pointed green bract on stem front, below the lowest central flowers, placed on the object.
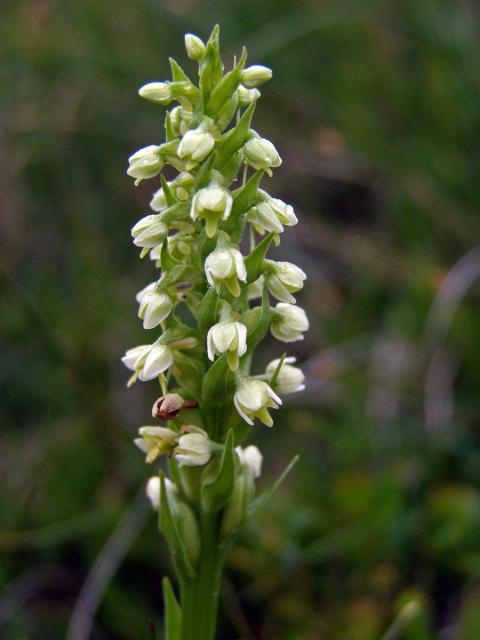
(218, 479)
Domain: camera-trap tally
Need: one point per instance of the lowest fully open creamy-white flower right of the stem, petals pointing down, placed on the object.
(253, 398)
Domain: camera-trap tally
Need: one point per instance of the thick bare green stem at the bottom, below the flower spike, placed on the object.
(199, 596)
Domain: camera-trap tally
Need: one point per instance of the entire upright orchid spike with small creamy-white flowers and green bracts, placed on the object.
(208, 310)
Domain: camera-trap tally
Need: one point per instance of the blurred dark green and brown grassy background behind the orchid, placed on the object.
(374, 107)
